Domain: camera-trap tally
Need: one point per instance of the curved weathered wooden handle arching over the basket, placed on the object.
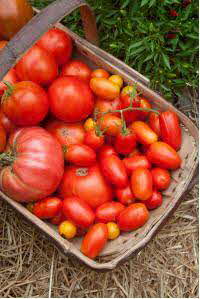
(40, 24)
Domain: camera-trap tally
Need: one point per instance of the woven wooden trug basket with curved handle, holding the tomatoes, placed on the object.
(182, 180)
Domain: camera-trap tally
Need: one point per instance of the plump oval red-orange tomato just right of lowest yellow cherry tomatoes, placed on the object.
(133, 217)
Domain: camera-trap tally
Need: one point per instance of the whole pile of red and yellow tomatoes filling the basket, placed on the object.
(79, 149)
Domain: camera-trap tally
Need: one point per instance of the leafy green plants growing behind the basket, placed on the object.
(139, 31)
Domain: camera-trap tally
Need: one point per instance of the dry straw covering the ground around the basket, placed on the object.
(30, 266)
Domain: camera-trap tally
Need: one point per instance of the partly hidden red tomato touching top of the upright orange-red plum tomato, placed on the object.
(135, 162)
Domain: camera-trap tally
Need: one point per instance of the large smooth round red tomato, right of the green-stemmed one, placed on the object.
(73, 93)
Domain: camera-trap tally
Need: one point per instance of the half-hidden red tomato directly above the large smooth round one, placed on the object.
(77, 68)
